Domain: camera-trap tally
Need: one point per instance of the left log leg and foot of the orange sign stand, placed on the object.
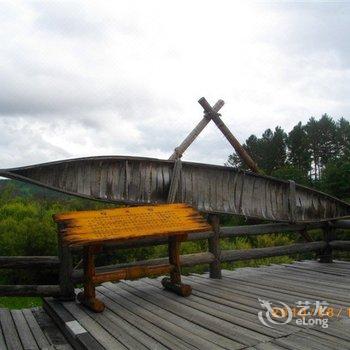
(88, 296)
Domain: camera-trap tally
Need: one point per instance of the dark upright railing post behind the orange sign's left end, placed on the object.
(66, 269)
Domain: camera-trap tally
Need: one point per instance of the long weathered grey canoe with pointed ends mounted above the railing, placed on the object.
(209, 188)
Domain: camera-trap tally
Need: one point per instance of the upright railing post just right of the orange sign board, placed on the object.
(214, 246)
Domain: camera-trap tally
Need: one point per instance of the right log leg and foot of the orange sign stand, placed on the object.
(174, 282)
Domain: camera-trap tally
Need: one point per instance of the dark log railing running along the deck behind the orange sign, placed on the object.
(68, 277)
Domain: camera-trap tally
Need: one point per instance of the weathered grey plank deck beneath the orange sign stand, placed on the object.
(220, 314)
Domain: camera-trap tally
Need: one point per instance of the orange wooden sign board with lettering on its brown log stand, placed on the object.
(91, 229)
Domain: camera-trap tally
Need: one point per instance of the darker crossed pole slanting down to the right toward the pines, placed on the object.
(229, 136)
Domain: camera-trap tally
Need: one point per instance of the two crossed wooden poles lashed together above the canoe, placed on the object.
(211, 113)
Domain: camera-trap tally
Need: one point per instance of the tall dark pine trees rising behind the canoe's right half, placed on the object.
(316, 154)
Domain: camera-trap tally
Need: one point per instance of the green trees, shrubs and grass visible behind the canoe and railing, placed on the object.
(316, 154)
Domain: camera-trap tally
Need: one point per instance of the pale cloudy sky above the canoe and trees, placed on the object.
(83, 78)
